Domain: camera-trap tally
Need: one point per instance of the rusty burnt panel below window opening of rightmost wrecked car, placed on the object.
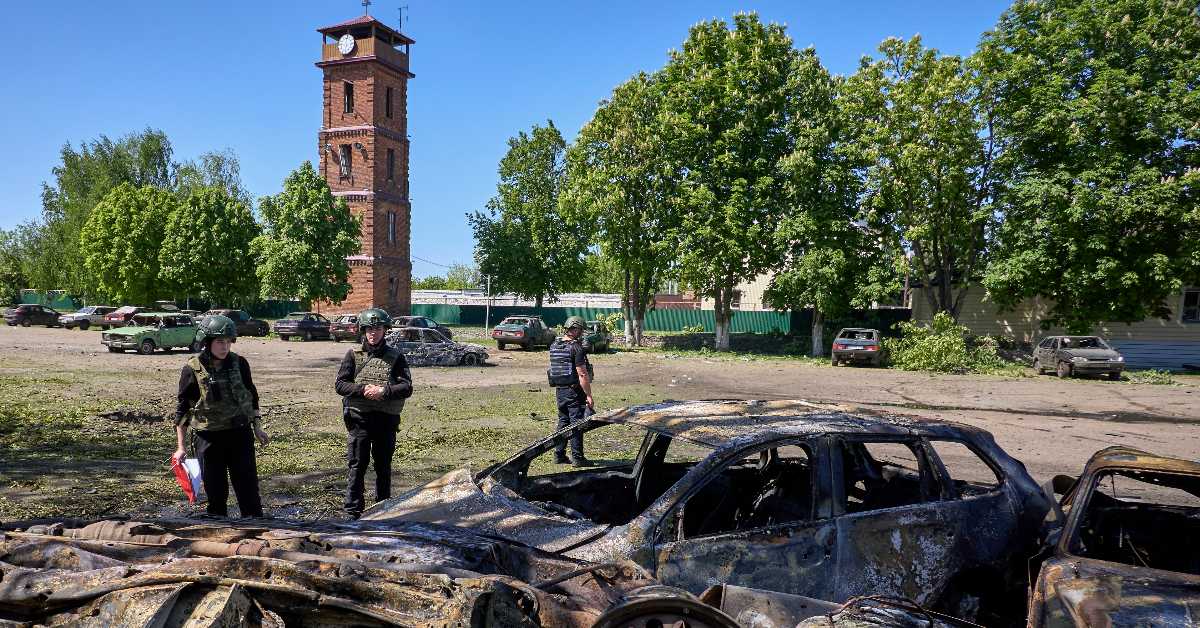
(1100, 594)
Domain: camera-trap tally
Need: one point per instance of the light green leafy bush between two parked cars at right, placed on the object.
(944, 346)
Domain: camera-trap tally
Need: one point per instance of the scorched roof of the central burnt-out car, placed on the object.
(734, 423)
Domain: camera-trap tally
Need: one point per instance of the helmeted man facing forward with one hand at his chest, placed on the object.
(374, 381)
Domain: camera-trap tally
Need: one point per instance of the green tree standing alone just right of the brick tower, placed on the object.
(524, 243)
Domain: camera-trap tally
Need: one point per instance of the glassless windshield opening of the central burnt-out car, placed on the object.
(619, 488)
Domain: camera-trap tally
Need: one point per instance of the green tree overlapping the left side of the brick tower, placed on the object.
(308, 235)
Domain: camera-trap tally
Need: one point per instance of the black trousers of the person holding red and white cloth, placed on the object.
(229, 457)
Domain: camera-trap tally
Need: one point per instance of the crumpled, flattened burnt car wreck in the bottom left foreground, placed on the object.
(277, 573)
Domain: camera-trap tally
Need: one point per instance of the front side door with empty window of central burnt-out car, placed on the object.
(814, 542)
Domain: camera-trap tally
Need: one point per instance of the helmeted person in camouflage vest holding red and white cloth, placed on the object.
(219, 402)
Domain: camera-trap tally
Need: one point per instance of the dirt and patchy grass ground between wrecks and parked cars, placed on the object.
(85, 432)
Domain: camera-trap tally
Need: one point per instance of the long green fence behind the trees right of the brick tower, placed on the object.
(656, 320)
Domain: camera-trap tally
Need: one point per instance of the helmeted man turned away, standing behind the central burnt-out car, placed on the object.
(571, 374)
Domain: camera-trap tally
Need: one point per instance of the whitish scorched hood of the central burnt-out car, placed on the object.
(488, 507)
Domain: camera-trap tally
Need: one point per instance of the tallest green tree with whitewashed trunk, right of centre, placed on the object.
(730, 97)
